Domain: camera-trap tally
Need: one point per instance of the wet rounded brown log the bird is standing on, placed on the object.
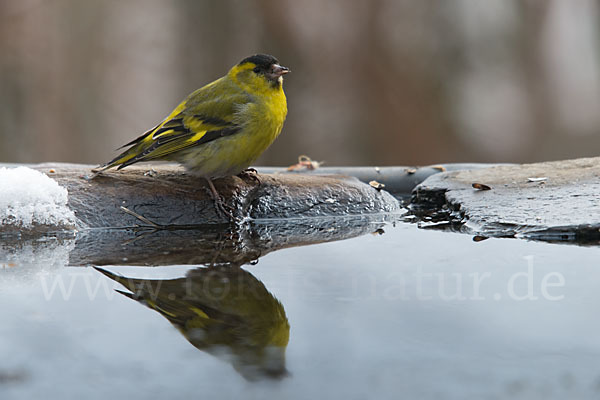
(166, 195)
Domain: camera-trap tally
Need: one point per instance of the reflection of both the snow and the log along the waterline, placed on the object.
(210, 245)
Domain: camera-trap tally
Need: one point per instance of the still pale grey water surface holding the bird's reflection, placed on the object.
(399, 312)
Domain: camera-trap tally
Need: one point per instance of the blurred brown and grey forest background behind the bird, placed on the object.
(373, 82)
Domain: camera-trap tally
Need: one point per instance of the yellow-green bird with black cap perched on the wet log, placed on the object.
(220, 129)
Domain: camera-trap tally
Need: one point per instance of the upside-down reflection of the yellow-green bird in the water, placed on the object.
(223, 310)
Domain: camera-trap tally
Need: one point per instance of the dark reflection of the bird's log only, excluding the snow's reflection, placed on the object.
(212, 245)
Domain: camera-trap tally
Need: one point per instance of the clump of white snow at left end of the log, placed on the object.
(29, 198)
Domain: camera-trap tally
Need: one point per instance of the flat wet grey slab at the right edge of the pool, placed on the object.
(549, 201)
